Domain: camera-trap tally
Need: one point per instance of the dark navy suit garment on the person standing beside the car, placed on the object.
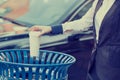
(105, 61)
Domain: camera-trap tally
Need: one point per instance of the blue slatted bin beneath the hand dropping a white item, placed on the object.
(49, 65)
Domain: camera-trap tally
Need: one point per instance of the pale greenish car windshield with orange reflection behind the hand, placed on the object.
(43, 12)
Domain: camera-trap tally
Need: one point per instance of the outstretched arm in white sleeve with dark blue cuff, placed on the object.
(77, 25)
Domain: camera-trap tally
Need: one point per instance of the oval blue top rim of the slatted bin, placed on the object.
(36, 65)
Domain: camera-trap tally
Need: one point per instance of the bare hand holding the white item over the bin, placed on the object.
(41, 29)
